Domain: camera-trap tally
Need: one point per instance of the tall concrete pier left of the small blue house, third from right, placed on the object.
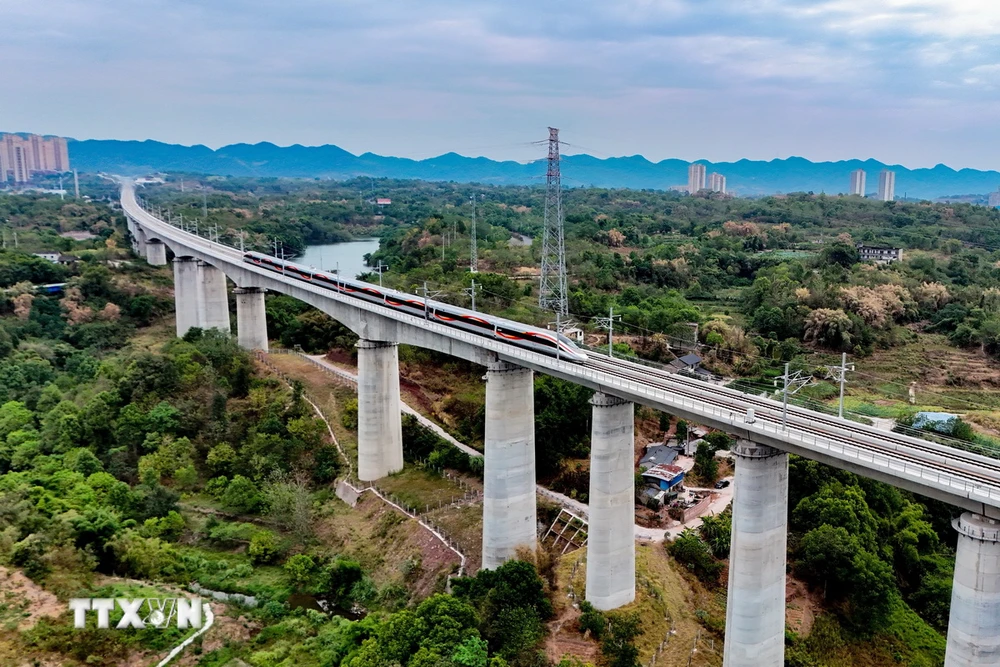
(610, 538)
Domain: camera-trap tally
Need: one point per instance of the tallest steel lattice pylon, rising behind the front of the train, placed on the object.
(552, 293)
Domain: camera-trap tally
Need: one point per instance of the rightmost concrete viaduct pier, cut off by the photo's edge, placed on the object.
(974, 624)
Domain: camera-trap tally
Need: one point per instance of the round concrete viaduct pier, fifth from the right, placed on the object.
(380, 429)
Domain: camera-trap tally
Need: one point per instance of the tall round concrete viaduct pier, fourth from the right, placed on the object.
(509, 517)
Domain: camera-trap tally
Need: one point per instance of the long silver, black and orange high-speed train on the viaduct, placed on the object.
(515, 333)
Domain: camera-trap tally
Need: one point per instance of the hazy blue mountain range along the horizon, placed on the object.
(745, 177)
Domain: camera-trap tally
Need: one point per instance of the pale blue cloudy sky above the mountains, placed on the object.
(911, 82)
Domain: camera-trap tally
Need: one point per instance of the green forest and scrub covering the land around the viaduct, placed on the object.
(129, 455)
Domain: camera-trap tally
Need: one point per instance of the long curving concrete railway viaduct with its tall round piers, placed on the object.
(755, 620)
